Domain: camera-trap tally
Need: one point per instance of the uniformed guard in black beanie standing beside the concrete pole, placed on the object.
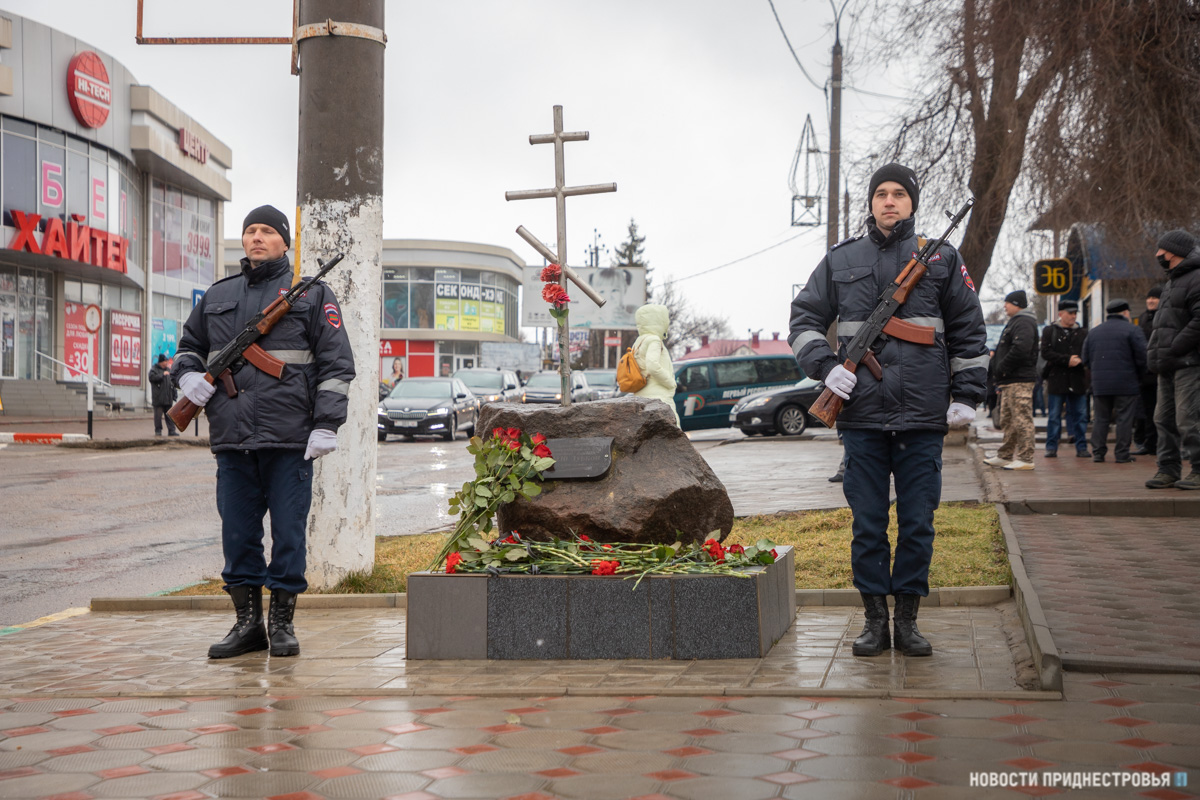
(267, 434)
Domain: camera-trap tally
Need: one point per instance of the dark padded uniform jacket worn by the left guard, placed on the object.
(310, 340)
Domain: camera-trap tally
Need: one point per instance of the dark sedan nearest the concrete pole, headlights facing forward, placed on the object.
(425, 407)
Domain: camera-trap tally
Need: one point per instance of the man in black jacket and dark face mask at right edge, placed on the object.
(1175, 357)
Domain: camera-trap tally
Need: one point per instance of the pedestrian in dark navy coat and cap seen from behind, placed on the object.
(1115, 352)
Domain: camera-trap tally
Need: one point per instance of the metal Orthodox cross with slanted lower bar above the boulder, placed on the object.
(561, 193)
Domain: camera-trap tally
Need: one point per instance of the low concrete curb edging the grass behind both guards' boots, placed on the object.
(938, 598)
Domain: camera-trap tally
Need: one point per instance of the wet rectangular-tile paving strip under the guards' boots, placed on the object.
(347, 651)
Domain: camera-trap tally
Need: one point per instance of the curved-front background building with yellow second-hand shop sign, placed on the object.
(442, 303)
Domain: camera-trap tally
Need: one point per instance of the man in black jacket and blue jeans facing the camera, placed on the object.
(1063, 350)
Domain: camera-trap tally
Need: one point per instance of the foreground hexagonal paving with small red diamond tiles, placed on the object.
(535, 748)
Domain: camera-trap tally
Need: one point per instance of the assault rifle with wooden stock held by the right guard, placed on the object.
(883, 321)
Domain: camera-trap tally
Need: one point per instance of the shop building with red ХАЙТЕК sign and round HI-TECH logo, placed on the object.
(112, 204)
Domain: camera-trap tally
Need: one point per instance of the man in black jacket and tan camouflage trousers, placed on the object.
(1015, 372)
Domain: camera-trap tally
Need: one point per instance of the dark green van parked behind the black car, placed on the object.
(707, 389)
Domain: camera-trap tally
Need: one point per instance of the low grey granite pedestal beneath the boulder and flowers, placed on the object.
(685, 617)
